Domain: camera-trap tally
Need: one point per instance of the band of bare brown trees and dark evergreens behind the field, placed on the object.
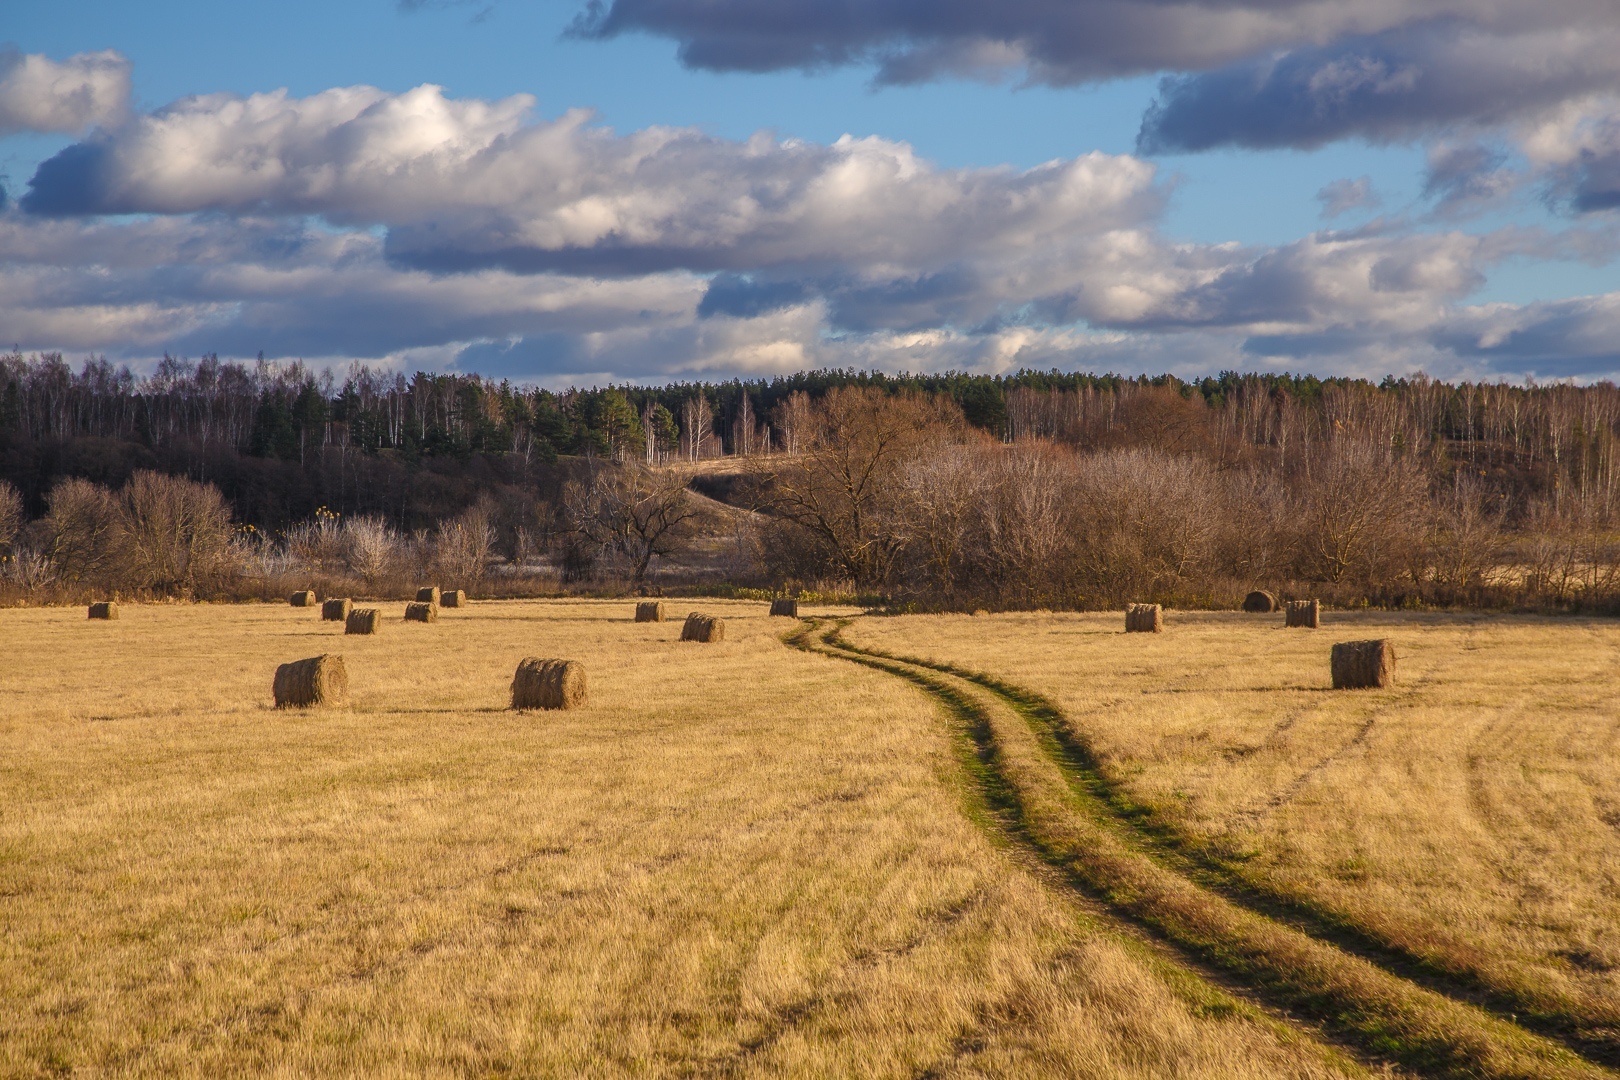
(1034, 490)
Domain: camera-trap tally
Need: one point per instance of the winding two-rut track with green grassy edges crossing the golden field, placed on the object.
(1067, 819)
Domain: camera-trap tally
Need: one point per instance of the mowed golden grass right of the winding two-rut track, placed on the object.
(1469, 819)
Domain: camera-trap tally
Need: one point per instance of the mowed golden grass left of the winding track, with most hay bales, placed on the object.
(738, 861)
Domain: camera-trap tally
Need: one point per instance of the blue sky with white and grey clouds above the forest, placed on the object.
(587, 192)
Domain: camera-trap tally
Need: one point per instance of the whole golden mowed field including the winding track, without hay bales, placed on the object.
(1033, 848)
